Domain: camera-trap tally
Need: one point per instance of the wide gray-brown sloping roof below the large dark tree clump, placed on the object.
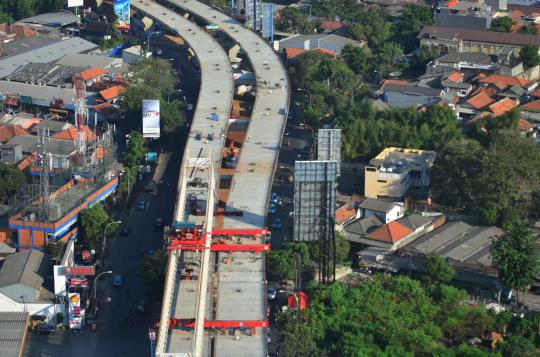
(460, 242)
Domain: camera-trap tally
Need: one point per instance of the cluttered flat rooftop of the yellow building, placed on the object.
(400, 159)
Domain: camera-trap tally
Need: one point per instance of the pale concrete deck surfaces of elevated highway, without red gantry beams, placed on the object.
(252, 179)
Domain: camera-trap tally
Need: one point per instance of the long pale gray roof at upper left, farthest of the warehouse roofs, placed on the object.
(47, 53)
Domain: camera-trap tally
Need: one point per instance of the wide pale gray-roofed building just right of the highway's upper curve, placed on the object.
(334, 43)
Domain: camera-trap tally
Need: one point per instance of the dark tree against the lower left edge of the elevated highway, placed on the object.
(152, 270)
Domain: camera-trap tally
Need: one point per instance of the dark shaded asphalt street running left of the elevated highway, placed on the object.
(114, 336)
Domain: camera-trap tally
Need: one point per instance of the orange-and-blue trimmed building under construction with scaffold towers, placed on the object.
(61, 178)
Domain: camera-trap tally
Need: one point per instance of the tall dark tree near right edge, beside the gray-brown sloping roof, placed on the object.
(515, 257)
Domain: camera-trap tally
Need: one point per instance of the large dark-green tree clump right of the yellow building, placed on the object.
(500, 181)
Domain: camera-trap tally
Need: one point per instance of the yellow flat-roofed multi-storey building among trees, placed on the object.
(395, 170)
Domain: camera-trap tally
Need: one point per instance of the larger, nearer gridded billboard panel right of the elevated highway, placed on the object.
(314, 199)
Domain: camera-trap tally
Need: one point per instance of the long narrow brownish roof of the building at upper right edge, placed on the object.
(479, 36)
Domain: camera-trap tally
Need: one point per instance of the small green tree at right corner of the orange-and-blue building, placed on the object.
(92, 224)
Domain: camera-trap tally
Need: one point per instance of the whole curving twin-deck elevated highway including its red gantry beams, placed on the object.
(215, 301)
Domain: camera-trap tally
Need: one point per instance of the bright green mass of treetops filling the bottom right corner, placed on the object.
(395, 315)
